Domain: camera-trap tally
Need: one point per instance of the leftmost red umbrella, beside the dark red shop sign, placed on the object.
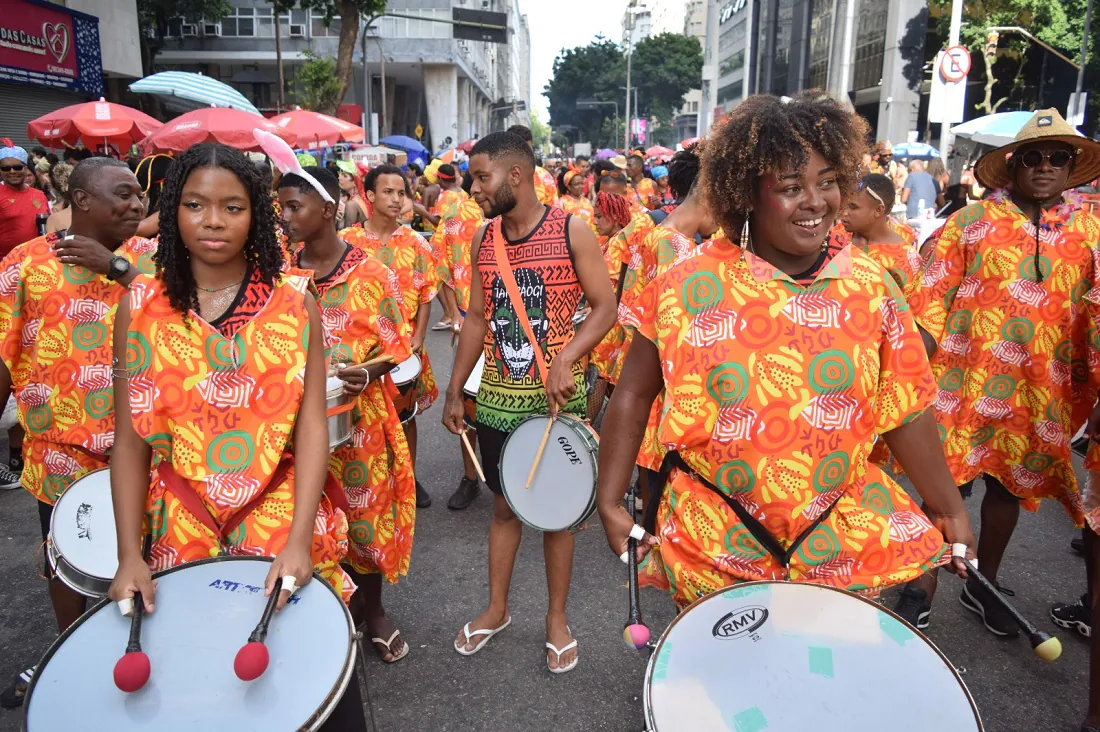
(95, 124)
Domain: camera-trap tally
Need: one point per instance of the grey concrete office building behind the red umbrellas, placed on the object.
(410, 70)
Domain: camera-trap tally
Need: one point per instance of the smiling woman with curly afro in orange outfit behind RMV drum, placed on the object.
(782, 358)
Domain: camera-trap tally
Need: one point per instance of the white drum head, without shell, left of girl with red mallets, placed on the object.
(83, 527)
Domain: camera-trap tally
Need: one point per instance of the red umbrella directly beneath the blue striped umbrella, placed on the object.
(230, 127)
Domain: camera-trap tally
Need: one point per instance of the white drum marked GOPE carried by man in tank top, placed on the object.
(564, 493)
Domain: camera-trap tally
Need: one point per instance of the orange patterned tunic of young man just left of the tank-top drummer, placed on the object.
(410, 256)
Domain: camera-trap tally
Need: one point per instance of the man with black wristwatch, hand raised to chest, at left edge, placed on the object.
(58, 304)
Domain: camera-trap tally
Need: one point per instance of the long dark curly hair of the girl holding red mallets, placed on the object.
(172, 258)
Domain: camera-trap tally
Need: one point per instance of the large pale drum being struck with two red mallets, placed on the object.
(205, 613)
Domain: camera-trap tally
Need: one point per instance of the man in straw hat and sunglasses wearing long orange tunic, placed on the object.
(1004, 312)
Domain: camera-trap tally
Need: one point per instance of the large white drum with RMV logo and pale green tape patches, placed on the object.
(787, 657)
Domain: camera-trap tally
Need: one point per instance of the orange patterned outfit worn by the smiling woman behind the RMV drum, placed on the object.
(775, 394)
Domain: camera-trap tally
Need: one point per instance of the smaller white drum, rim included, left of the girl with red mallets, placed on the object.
(83, 549)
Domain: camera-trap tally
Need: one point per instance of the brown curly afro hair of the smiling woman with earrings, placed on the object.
(766, 134)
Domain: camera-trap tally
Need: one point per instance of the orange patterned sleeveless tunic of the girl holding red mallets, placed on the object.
(222, 412)
